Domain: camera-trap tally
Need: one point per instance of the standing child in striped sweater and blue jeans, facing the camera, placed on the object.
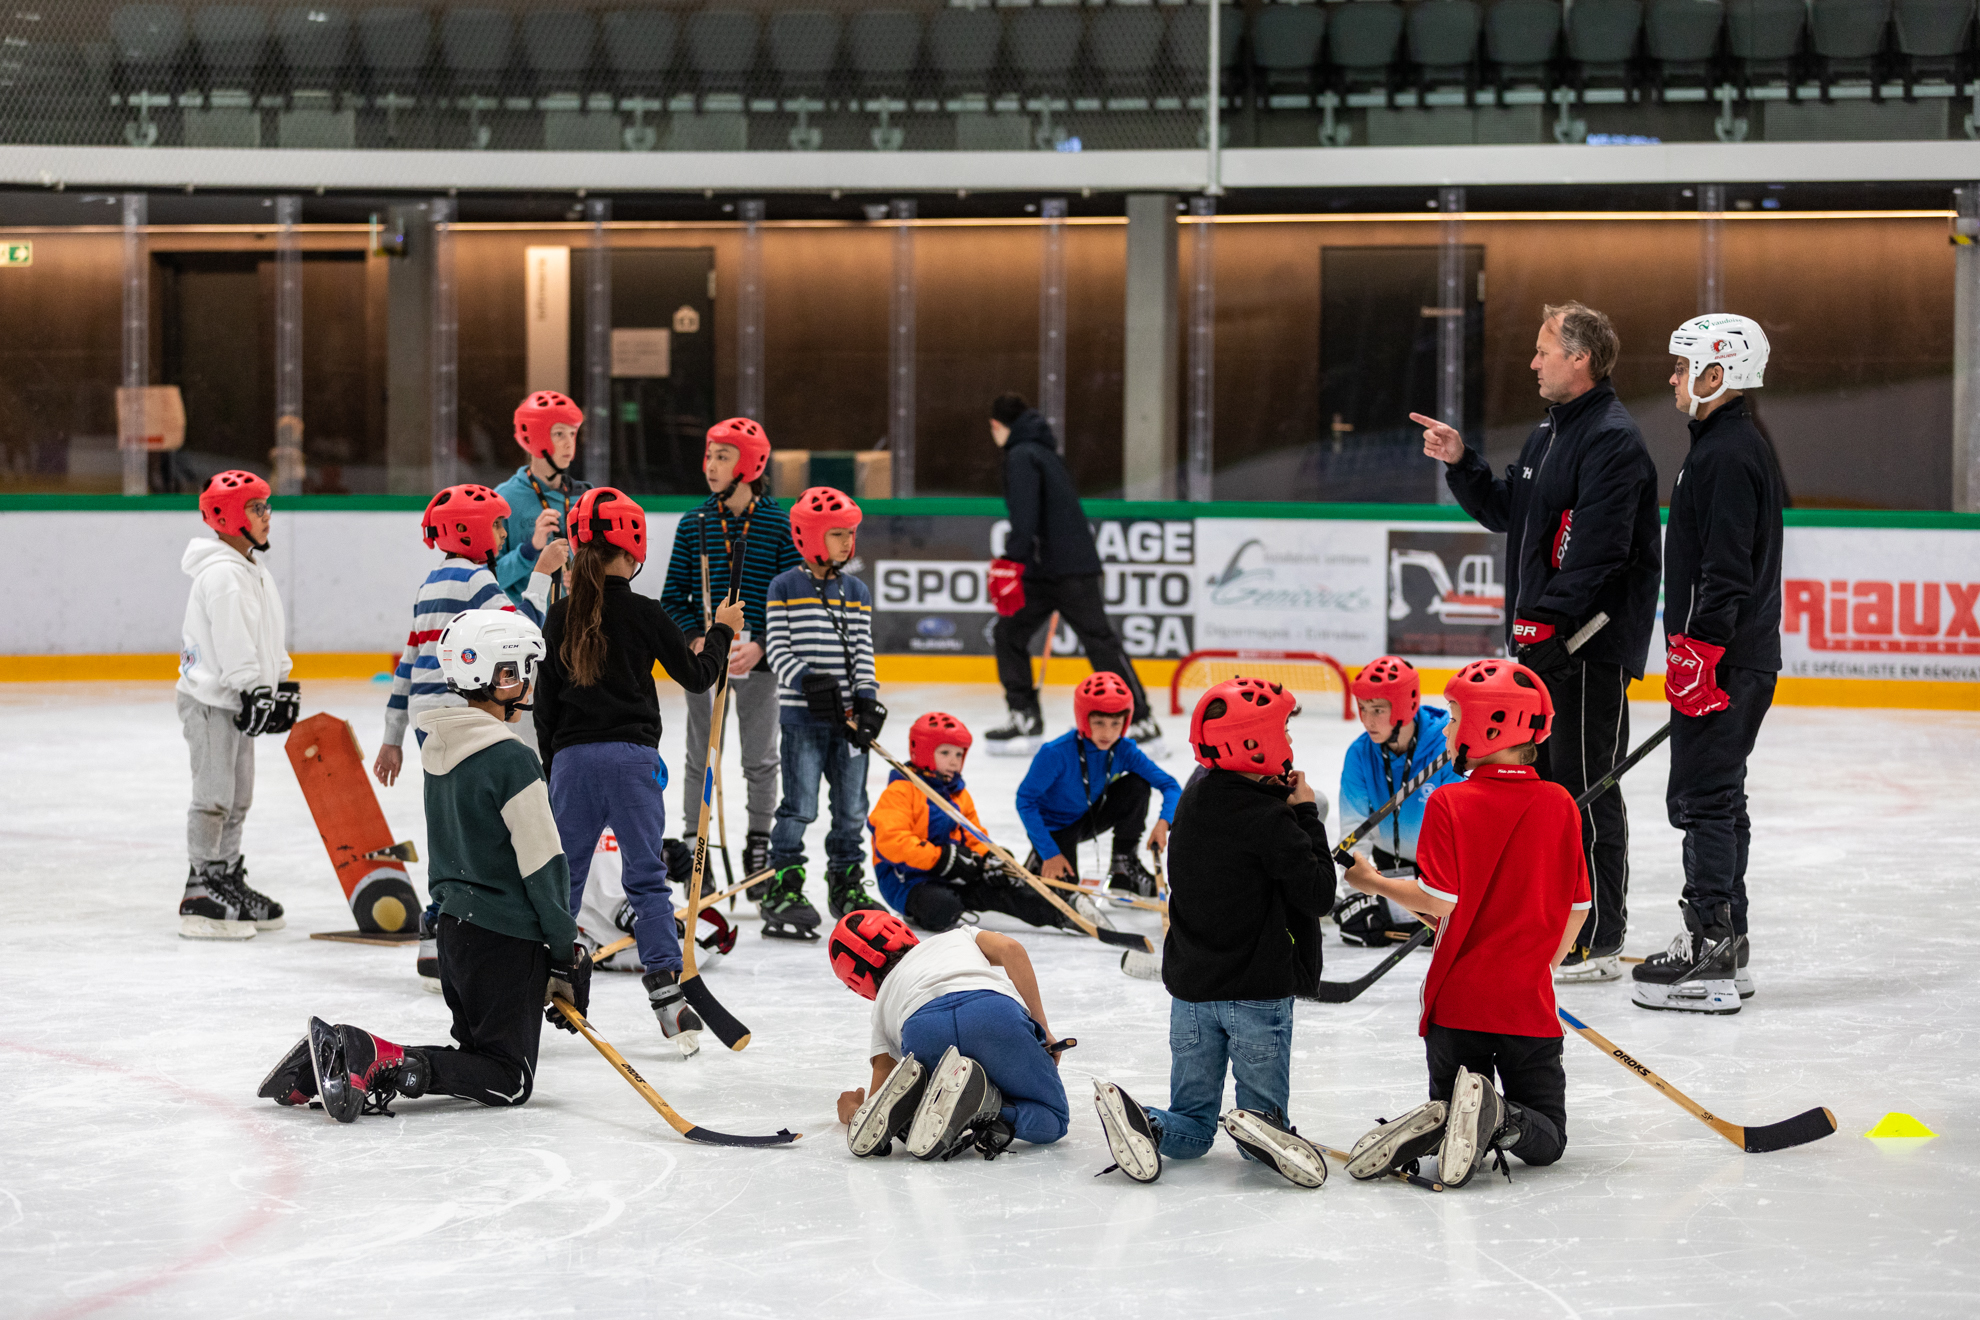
(821, 644)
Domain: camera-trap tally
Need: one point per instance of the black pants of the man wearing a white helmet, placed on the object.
(1708, 795)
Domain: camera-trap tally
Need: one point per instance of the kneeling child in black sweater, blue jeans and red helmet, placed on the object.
(1248, 884)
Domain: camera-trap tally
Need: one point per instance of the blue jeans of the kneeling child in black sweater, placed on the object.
(1254, 1036)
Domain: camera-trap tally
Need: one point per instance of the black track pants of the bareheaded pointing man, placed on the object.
(1591, 735)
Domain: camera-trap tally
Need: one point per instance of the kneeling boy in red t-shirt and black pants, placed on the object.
(1504, 880)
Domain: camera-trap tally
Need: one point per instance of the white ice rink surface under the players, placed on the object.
(142, 1177)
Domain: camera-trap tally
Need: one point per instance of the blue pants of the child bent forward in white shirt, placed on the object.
(999, 1034)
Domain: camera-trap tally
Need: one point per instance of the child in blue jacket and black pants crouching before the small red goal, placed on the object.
(1092, 781)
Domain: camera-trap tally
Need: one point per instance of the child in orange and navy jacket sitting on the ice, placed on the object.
(928, 868)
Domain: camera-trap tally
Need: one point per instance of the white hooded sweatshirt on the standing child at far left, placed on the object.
(235, 636)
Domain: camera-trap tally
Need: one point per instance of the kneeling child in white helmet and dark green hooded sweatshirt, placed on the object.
(498, 872)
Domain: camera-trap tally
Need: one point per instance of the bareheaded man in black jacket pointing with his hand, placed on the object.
(1579, 512)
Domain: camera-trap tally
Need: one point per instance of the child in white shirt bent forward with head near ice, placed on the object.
(971, 1000)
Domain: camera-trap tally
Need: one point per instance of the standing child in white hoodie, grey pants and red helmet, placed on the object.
(233, 686)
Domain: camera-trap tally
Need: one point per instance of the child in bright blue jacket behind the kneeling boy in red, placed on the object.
(1403, 739)
